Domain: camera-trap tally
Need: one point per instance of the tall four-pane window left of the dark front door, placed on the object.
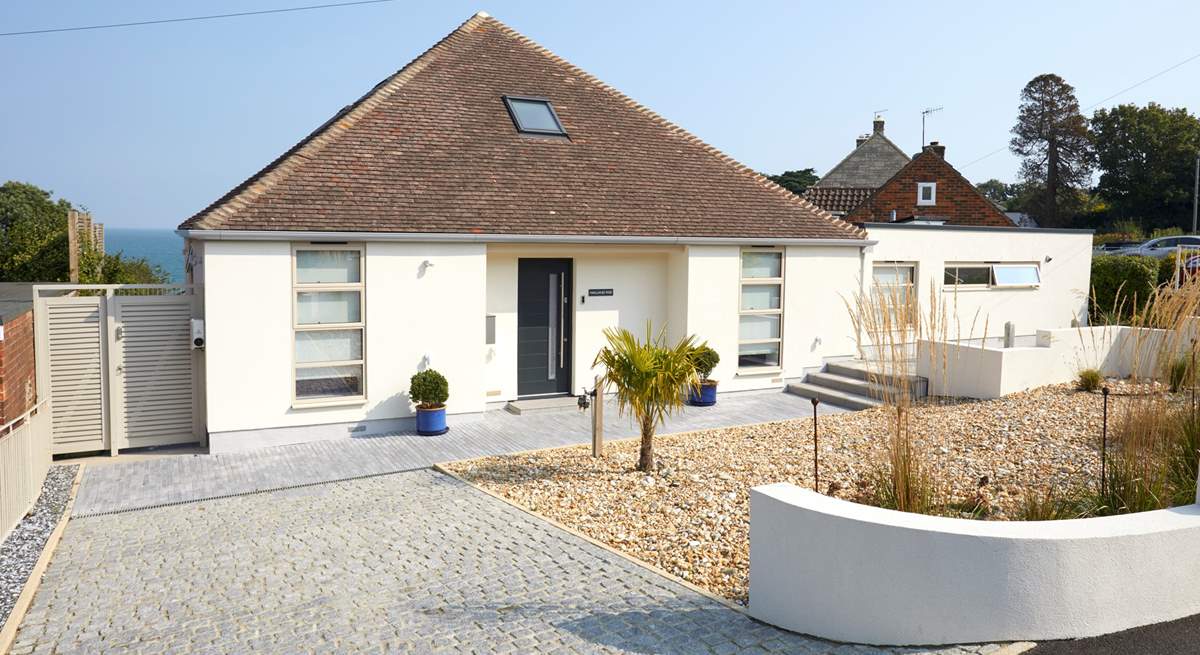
(328, 325)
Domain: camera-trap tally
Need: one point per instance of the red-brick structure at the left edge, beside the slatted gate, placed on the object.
(17, 369)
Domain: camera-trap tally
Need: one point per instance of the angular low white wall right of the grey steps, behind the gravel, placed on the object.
(973, 371)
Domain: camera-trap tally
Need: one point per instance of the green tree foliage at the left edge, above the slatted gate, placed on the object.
(34, 244)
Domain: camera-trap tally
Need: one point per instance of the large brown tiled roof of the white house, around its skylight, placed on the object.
(433, 151)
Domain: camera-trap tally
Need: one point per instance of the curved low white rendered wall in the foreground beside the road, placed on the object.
(859, 574)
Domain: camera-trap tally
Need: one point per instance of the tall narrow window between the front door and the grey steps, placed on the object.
(761, 311)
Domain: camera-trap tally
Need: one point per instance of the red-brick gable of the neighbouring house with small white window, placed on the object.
(958, 202)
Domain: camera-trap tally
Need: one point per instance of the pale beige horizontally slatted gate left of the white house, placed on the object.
(119, 369)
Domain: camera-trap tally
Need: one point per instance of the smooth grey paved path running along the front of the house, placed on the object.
(148, 484)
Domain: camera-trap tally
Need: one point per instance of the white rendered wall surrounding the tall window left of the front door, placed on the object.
(415, 319)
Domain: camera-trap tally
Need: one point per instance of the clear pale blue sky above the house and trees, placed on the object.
(147, 125)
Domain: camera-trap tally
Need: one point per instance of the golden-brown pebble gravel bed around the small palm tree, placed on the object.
(691, 516)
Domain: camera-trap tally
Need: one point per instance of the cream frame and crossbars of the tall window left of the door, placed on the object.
(297, 289)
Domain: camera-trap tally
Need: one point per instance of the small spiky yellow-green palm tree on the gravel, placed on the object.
(651, 380)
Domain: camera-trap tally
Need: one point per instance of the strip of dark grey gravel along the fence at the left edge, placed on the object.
(22, 549)
